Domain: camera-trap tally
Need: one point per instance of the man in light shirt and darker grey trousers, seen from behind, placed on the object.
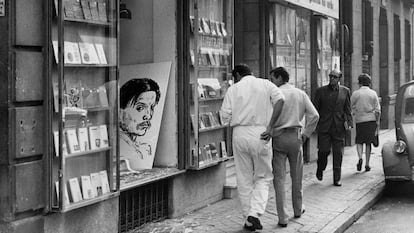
(288, 135)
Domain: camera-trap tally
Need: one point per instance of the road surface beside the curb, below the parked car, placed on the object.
(394, 213)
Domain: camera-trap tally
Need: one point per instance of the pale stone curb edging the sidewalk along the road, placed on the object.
(344, 220)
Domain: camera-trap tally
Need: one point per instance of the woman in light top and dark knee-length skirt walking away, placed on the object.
(366, 111)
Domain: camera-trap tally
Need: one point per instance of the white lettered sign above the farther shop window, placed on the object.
(326, 7)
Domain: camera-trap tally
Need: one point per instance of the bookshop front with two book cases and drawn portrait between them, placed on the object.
(112, 111)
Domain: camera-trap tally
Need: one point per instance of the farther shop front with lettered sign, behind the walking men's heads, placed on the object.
(302, 36)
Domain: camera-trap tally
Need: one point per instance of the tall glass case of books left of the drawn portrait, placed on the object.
(84, 115)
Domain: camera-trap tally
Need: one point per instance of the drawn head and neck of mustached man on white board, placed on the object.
(138, 98)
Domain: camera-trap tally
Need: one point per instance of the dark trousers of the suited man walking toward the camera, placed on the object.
(327, 140)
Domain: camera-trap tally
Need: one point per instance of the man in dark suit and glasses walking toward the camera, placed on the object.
(334, 107)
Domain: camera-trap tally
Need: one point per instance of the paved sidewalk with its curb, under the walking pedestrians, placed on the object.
(328, 208)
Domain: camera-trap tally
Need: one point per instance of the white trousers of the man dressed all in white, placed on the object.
(253, 163)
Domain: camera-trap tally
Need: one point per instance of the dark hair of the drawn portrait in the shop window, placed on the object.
(132, 89)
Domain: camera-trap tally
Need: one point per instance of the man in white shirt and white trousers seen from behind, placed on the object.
(248, 106)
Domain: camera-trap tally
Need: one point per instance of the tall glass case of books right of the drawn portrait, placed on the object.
(210, 76)
